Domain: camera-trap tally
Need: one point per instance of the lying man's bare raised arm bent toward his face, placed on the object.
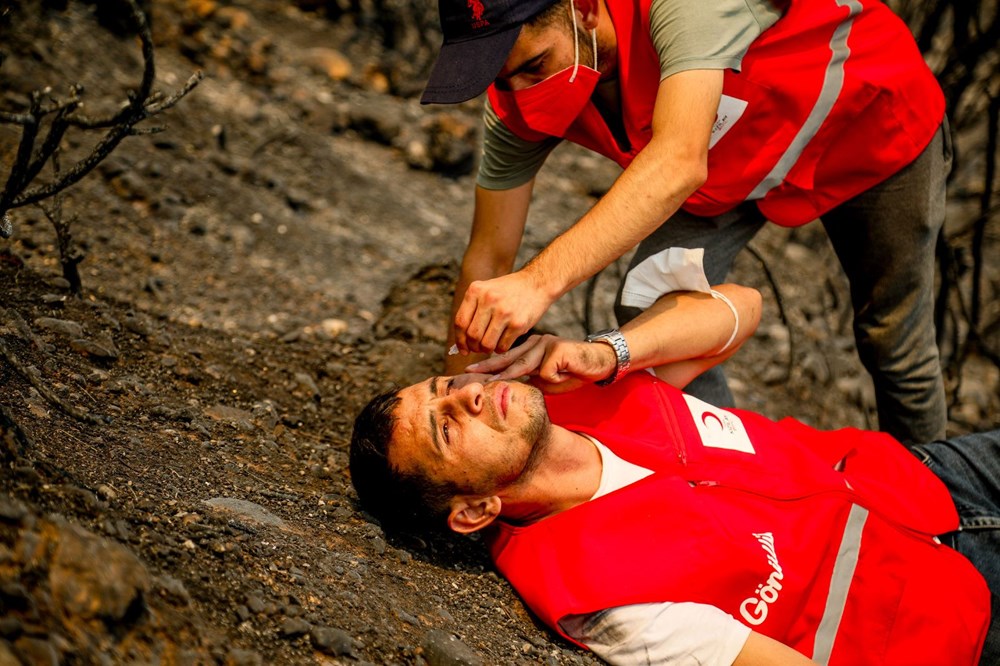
(680, 336)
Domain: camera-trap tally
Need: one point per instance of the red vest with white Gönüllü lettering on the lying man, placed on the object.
(751, 516)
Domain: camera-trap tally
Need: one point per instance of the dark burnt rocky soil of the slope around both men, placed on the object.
(174, 482)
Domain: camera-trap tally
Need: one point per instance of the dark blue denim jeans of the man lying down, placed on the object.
(970, 467)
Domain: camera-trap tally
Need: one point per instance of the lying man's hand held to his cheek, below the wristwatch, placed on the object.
(554, 364)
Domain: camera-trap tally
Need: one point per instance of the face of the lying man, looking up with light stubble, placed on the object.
(461, 430)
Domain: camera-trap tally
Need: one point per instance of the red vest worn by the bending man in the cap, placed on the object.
(838, 98)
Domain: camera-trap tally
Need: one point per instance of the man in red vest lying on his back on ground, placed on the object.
(652, 527)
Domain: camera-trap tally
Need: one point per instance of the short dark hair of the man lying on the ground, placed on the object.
(400, 502)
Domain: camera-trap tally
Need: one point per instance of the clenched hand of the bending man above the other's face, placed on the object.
(495, 312)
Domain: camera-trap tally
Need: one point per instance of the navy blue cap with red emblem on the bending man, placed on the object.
(478, 37)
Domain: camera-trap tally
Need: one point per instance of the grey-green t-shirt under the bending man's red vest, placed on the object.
(687, 34)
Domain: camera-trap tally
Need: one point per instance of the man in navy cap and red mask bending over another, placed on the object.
(724, 115)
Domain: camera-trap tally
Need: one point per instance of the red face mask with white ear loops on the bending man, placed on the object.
(551, 106)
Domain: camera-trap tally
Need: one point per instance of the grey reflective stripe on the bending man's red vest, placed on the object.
(833, 83)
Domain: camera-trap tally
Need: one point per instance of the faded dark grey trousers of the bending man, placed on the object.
(885, 239)
